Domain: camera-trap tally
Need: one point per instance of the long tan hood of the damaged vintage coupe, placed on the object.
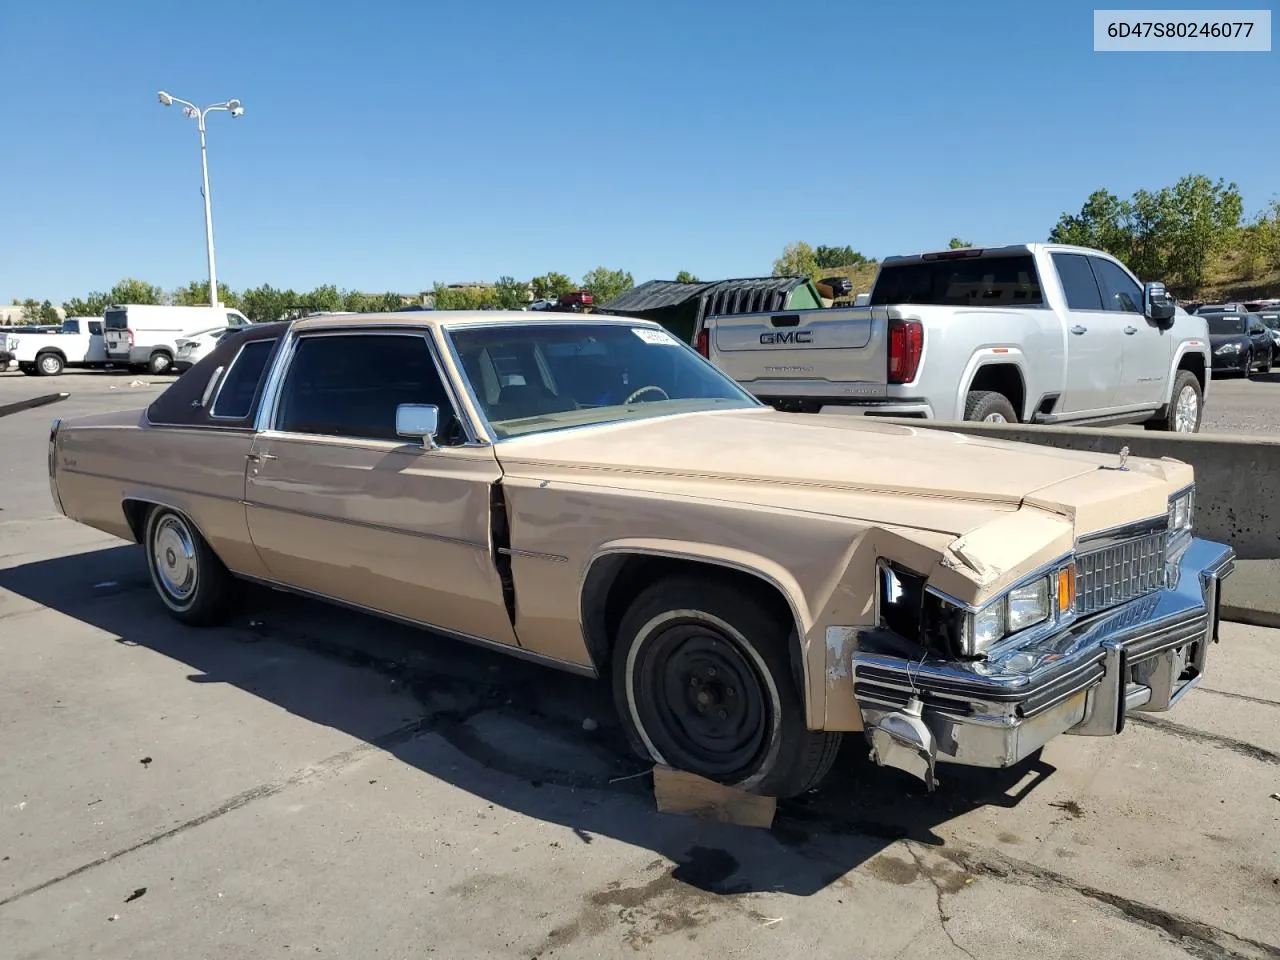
(849, 467)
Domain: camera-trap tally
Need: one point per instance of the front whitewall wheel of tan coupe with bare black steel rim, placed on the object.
(703, 683)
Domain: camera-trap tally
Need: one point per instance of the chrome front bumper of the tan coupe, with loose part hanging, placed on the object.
(1142, 656)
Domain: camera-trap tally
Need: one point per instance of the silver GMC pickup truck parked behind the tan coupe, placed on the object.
(1034, 333)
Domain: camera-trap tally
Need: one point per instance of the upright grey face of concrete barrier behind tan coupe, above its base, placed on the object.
(1236, 501)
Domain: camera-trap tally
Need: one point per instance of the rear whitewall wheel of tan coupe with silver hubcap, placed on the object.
(191, 582)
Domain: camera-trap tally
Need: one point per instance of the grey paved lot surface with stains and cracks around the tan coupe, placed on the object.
(309, 781)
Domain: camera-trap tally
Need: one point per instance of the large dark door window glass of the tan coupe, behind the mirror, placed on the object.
(350, 386)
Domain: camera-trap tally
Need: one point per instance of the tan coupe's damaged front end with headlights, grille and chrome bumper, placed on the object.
(1122, 623)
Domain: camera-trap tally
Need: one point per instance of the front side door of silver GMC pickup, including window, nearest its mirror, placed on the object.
(1145, 346)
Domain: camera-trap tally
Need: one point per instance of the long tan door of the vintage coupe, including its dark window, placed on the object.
(341, 508)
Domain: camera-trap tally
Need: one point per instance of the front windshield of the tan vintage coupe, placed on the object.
(537, 377)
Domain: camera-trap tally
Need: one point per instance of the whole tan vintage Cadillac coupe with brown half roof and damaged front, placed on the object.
(593, 495)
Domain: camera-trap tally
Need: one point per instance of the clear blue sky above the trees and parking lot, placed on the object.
(392, 145)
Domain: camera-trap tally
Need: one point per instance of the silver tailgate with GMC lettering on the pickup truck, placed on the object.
(804, 353)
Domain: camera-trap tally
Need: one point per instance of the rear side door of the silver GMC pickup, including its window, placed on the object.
(1094, 346)
